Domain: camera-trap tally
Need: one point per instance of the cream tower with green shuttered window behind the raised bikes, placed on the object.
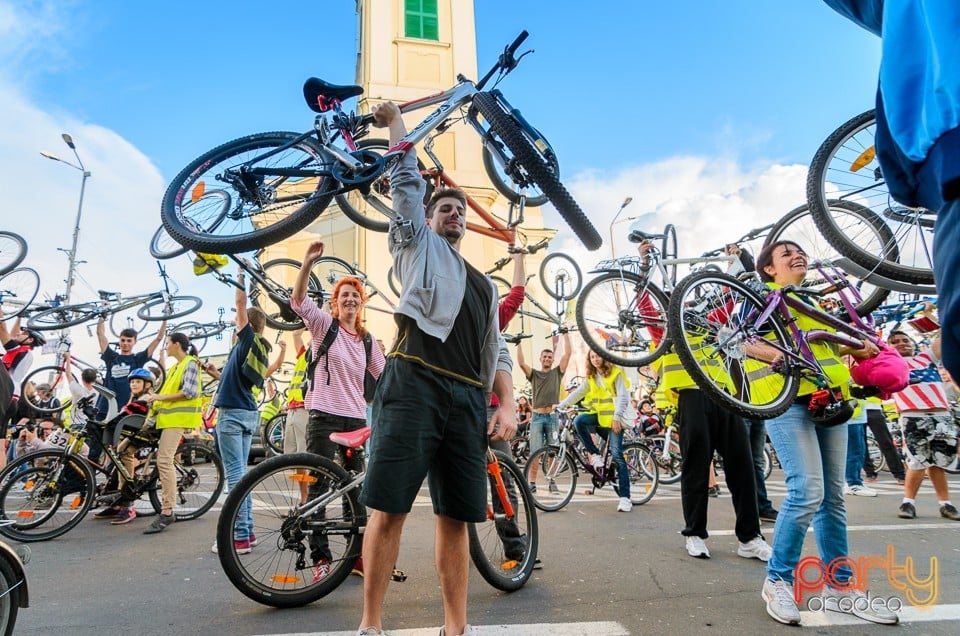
(409, 49)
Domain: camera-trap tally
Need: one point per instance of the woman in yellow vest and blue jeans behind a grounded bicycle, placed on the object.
(606, 394)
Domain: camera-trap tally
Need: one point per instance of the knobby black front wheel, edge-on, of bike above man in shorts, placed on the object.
(539, 170)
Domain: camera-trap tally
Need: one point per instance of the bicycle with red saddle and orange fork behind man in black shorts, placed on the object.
(279, 571)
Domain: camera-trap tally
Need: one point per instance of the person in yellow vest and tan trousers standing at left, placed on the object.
(174, 410)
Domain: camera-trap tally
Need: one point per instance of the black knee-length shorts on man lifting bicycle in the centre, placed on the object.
(427, 425)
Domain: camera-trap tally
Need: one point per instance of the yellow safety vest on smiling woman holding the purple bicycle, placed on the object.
(764, 381)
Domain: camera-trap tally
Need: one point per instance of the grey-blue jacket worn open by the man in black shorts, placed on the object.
(432, 274)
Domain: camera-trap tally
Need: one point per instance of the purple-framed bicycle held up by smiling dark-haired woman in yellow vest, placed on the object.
(724, 329)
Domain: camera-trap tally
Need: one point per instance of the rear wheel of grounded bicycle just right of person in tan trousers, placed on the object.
(200, 480)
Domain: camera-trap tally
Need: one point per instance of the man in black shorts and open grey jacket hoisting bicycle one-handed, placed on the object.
(430, 403)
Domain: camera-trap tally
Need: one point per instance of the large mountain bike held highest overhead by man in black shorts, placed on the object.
(277, 183)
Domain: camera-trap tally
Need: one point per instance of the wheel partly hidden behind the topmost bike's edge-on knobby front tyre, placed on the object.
(507, 176)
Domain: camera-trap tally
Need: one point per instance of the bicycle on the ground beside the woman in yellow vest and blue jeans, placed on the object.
(557, 472)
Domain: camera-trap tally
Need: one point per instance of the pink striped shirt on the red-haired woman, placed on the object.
(346, 361)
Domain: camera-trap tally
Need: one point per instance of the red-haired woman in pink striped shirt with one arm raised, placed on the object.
(335, 394)
